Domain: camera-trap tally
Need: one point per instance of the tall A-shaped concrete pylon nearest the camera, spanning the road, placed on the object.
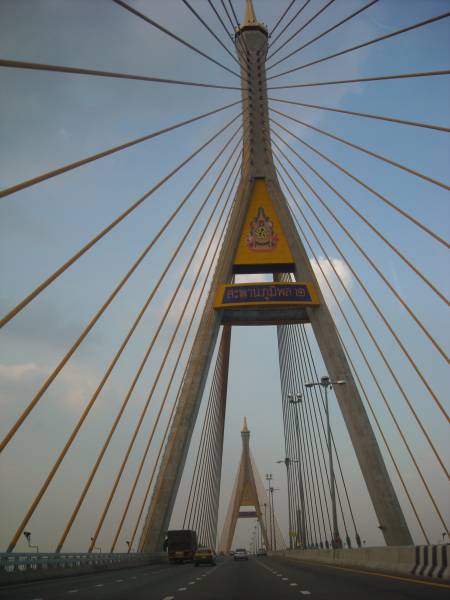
(247, 233)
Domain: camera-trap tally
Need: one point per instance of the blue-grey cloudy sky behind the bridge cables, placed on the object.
(50, 119)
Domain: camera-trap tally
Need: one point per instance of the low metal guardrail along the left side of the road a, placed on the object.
(24, 561)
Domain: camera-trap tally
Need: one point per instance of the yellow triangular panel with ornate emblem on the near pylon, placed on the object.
(262, 247)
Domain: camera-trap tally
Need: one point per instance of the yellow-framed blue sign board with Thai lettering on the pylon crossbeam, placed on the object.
(266, 294)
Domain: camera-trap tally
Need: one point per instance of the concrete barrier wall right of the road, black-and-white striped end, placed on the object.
(424, 561)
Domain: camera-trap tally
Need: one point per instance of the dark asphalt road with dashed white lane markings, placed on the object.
(261, 579)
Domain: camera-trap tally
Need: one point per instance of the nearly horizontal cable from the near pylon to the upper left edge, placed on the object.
(20, 64)
